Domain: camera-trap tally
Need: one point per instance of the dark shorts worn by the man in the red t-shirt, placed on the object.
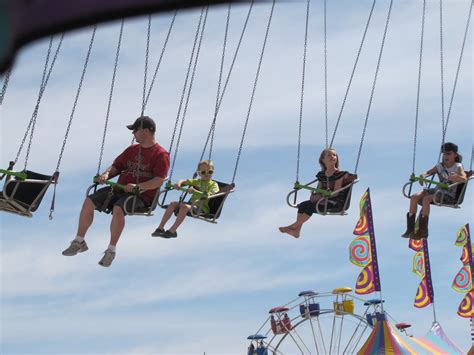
(105, 199)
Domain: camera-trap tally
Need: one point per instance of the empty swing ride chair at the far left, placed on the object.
(22, 195)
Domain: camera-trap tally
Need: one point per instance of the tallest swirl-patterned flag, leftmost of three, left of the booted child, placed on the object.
(363, 251)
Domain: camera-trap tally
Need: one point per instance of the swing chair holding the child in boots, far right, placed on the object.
(438, 197)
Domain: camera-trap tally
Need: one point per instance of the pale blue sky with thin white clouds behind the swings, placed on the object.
(210, 288)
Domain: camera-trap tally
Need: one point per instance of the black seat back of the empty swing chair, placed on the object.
(29, 193)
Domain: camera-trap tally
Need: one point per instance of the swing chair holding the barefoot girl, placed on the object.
(323, 207)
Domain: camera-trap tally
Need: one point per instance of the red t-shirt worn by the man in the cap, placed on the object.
(154, 161)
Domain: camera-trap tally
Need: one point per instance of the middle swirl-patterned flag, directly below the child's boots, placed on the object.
(421, 267)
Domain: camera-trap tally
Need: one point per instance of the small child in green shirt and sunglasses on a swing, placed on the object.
(196, 187)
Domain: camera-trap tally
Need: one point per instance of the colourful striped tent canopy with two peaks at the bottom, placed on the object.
(386, 339)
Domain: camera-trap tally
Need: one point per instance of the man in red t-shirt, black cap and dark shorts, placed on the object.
(144, 166)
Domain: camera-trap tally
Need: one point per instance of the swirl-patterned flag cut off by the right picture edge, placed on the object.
(463, 280)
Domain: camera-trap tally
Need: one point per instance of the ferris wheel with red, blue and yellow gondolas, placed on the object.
(333, 322)
